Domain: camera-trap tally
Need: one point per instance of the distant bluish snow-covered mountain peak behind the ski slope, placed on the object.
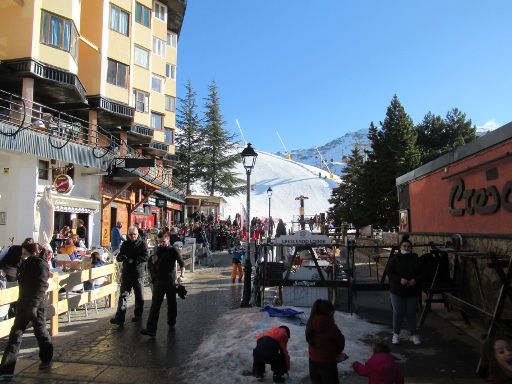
(332, 152)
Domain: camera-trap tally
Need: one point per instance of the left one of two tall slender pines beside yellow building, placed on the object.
(187, 168)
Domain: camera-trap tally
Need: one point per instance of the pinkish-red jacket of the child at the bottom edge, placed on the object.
(381, 368)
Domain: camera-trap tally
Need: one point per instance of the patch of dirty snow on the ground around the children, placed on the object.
(226, 353)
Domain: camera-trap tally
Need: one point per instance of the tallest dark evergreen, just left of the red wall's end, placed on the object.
(393, 153)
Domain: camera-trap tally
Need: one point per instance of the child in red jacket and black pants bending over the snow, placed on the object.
(272, 348)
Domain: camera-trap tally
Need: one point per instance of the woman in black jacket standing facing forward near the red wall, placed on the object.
(404, 287)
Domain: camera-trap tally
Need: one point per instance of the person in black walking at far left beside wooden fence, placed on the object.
(32, 303)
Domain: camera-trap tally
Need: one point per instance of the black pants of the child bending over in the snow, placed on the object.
(268, 351)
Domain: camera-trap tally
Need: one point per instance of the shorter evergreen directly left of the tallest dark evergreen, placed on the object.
(347, 199)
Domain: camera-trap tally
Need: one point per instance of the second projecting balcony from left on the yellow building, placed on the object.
(111, 113)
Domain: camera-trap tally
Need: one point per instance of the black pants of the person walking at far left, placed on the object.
(25, 315)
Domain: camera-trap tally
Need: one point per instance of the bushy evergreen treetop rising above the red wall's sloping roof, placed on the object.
(437, 136)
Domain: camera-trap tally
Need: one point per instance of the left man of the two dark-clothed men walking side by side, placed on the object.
(133, 254)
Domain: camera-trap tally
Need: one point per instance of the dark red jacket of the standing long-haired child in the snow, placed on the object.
(328, 340)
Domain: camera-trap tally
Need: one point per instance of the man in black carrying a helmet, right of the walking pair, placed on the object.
(163, 275)
